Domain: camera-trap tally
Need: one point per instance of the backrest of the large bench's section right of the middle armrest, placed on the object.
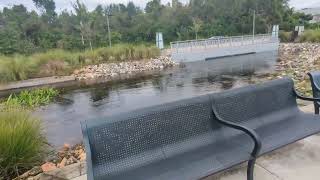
(256, 101)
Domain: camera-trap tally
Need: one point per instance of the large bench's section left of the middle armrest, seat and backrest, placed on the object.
(180, 140)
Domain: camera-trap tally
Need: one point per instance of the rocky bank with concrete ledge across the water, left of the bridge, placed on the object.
(91, 74)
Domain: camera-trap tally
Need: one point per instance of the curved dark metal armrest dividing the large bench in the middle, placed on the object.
(253, 135)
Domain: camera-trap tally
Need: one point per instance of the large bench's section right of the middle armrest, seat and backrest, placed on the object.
(271, 110)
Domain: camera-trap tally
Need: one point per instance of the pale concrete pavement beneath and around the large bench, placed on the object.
(298, 161)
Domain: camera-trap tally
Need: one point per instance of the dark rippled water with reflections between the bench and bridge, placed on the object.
(78, 103)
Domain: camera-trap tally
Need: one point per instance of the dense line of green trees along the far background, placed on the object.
(26, 32)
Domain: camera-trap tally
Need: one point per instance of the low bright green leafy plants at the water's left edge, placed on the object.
(32, 99)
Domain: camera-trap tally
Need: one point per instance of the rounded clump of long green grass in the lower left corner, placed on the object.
(22, 143)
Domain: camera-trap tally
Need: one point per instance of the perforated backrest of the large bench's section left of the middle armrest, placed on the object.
(122, 142)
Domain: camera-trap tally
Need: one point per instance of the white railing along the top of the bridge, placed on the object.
(190, 45)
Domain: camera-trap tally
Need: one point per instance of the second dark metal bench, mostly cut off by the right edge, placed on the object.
(315, 84)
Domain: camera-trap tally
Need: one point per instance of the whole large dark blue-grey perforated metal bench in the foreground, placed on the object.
(197, 137)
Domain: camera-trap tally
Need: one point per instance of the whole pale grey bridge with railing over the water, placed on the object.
(205, 49)
